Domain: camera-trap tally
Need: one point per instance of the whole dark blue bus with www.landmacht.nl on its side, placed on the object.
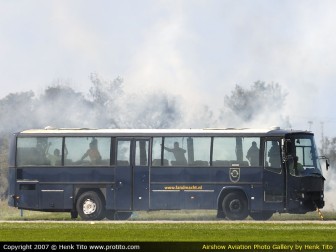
(109, 173)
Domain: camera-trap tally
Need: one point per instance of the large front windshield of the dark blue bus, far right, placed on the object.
(305, 158)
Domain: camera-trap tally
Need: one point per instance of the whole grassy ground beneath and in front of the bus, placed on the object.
(175, 228)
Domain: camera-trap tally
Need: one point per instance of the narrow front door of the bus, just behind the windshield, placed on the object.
(274, 176)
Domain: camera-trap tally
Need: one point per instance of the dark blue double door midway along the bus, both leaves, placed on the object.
(132, 175)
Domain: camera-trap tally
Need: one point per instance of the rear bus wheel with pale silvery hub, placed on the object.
(90, 206)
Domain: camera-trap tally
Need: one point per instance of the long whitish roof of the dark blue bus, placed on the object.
(274, 131)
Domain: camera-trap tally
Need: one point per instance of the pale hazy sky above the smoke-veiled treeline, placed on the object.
(196, 49)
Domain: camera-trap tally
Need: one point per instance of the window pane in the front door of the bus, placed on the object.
(272, 156)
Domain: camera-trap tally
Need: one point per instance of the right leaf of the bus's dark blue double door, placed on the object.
(141, 175)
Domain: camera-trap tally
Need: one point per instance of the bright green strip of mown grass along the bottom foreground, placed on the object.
(221, 232)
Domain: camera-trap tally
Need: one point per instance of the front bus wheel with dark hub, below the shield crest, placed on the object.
(235, 206)
